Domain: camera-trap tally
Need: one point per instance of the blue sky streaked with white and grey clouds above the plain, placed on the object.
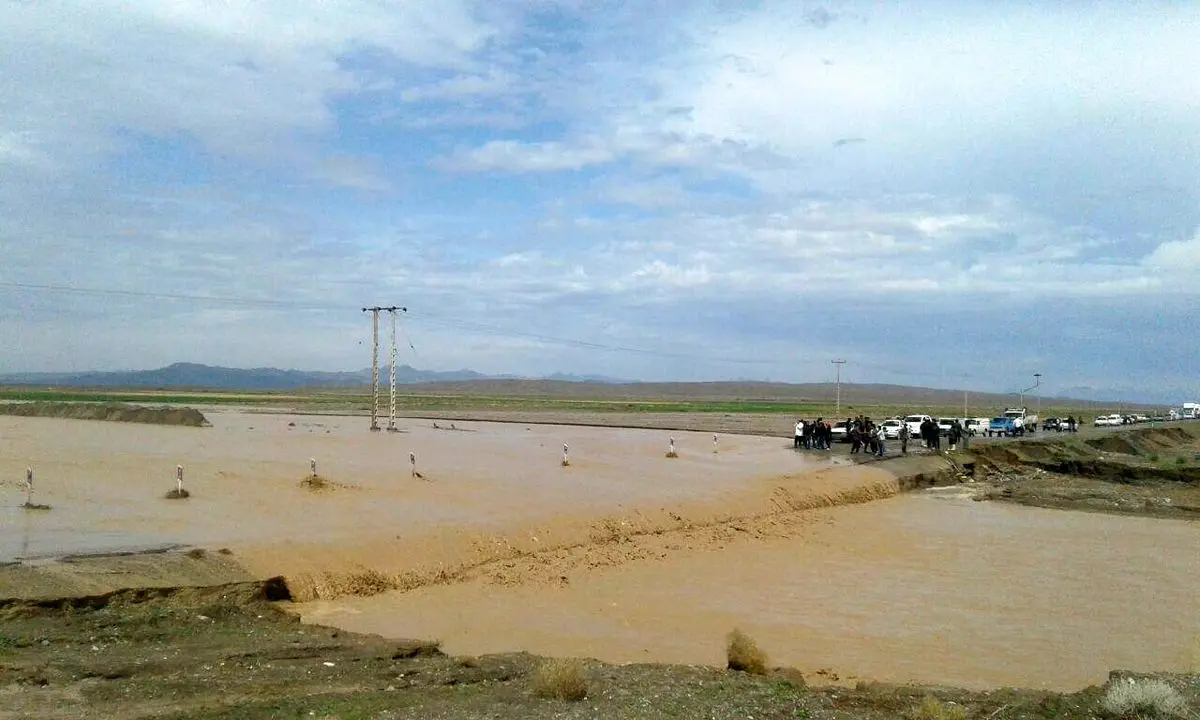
(953, 195)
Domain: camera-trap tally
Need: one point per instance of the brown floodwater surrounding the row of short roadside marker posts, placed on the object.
(106, 482)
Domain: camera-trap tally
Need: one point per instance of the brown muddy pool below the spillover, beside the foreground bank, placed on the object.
(916, 589)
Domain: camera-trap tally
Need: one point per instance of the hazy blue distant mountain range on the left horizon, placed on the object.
(190, 375)
